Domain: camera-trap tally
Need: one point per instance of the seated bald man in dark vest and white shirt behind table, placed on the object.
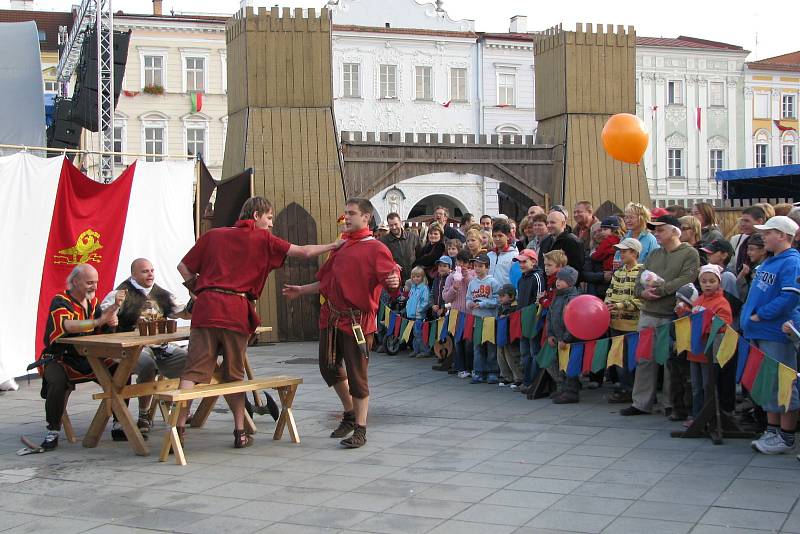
(142, 293)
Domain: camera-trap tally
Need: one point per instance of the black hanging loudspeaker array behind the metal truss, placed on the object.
(85, 94)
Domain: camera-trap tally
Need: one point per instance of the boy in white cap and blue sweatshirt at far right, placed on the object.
(769, 305)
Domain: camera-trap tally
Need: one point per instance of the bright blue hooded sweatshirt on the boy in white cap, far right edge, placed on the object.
(770, 297)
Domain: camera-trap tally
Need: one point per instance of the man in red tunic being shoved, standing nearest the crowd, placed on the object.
(351, 282)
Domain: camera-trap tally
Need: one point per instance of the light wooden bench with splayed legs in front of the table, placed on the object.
(285, 385)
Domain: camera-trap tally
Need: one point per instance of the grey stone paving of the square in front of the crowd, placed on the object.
(443, 456)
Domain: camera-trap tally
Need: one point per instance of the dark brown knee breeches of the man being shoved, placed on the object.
(351, 364)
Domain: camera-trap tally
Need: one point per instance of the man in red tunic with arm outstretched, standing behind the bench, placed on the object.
(226, 270)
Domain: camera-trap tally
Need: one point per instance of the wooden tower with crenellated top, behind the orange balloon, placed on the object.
(582, 78)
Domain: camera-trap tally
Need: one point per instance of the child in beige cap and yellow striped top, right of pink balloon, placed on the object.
(623, 304)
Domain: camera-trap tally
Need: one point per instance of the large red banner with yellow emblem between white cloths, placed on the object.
(87, 227)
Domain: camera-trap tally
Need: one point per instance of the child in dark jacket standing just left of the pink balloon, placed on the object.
(559, 336)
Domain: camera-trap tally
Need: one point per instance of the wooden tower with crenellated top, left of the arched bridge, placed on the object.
(280, 123)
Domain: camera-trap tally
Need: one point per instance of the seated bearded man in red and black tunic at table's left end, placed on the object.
(74, 312)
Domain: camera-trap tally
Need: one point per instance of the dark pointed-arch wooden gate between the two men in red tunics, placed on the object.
(297, 319)
